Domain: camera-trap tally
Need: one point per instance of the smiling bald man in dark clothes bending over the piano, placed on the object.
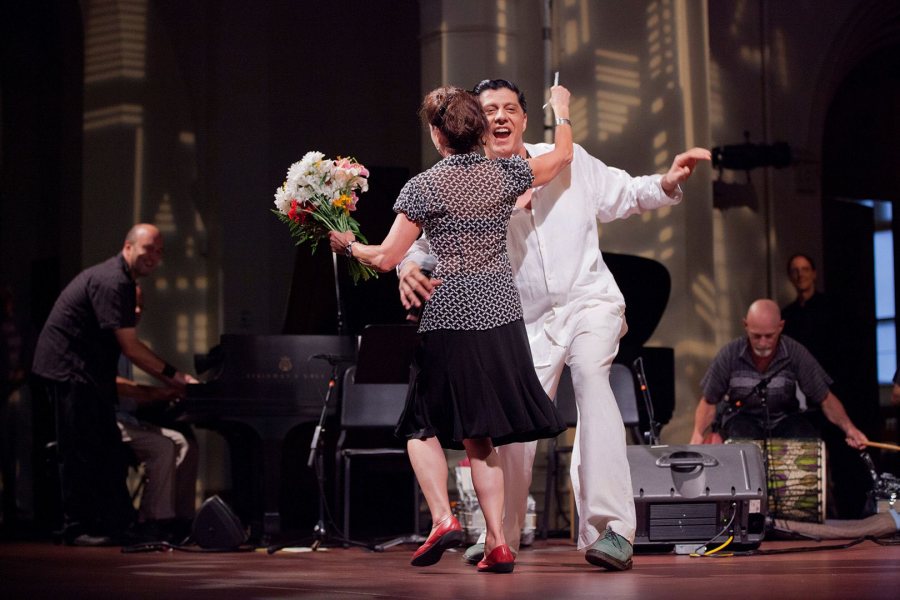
(75, 363)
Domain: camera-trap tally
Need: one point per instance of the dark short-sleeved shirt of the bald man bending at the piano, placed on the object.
(78, 342)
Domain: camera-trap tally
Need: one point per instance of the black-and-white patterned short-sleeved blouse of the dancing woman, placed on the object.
(464, 203)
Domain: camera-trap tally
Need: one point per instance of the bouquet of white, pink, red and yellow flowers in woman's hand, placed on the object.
(318, 196)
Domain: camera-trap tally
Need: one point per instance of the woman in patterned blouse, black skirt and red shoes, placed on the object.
(474, 385)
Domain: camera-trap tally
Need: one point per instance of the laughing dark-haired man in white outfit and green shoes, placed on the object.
(574, 314)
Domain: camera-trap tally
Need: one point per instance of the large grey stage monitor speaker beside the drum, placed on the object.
(689, 494)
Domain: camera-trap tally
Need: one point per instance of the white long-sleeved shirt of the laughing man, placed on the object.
(553, 246)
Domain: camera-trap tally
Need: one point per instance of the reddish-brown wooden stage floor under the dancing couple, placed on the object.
(546, 571)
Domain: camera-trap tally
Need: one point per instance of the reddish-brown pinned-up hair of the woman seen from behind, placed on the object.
(458, 115)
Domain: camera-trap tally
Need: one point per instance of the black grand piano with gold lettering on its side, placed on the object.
(257, 390)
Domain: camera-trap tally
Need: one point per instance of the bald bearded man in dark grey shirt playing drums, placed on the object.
(751, 389)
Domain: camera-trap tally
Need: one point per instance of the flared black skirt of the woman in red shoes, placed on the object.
(477, 384)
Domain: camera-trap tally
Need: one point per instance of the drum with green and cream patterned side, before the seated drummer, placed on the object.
(796, 478)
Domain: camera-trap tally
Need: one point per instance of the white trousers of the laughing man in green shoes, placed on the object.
(601, 478)
